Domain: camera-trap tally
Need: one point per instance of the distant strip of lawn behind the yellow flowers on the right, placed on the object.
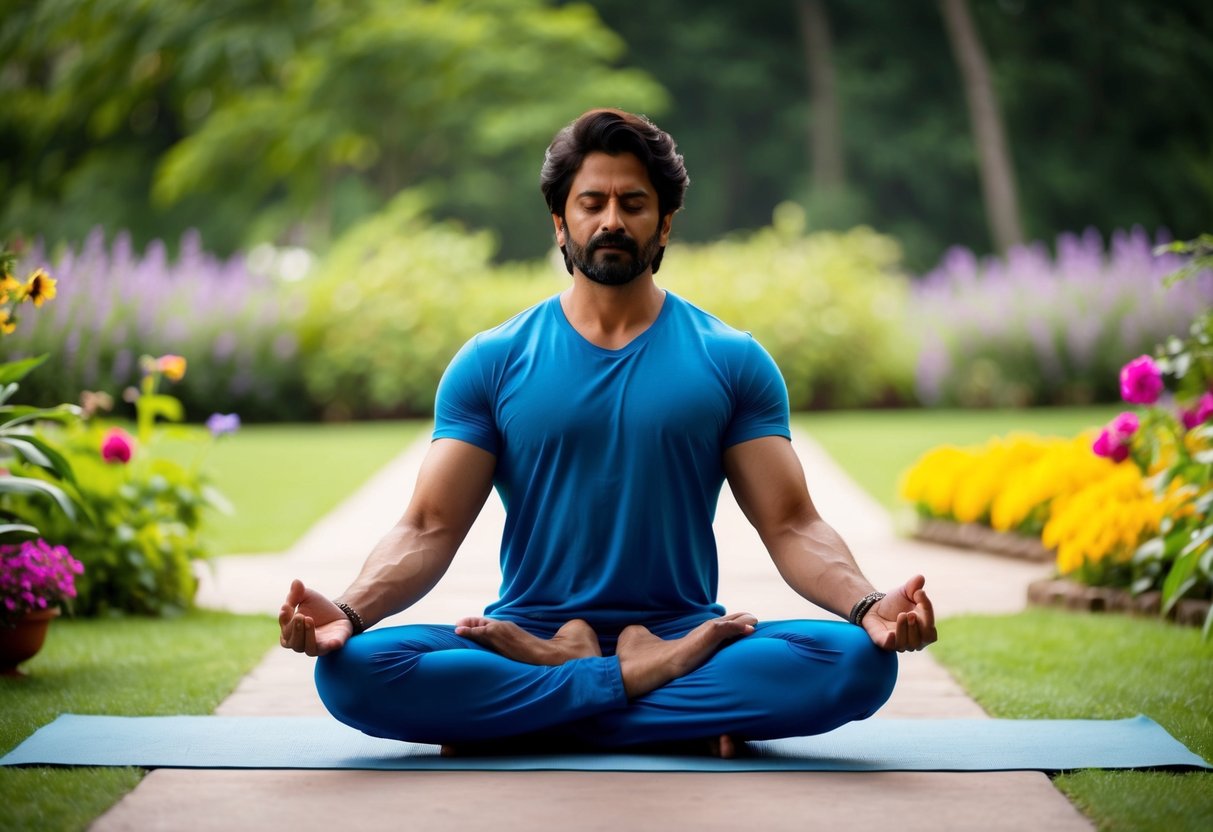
(875, 447)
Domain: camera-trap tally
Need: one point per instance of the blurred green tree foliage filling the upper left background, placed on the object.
(254, 122)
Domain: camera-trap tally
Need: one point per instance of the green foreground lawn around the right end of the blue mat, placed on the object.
(1049, 664)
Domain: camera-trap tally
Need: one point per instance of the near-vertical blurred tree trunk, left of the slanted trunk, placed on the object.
(825, 124)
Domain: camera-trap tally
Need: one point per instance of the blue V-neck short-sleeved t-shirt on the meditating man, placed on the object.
(610, 461)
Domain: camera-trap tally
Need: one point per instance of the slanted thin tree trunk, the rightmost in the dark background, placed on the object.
(998, 179)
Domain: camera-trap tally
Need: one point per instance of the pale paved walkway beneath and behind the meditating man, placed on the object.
(328, 557)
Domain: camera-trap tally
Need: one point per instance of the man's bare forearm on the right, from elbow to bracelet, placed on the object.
(816, 562)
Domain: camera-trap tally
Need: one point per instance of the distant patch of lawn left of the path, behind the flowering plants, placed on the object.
(283, 478)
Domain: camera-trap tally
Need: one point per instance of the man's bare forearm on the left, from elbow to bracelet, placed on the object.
(401, 571)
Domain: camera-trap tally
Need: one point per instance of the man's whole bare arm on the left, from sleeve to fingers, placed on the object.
(454, 483)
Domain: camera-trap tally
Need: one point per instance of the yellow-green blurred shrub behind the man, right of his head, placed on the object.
(828, 306)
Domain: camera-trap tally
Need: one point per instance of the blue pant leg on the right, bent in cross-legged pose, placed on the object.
(788, 679)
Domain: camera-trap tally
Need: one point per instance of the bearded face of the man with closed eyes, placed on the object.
(612, 229)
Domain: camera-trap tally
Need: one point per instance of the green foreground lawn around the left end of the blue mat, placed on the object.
(129, 668)
